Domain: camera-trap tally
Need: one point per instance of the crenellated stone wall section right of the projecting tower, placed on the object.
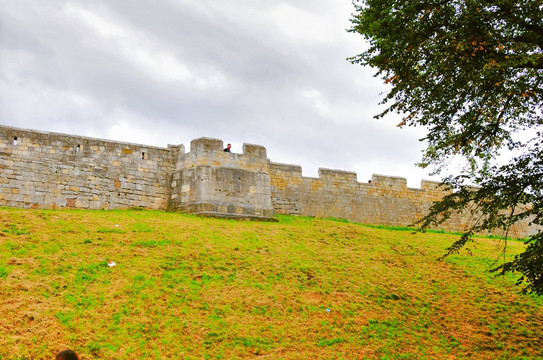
(335, 193)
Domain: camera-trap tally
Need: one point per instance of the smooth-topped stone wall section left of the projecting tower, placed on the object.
(49, 170)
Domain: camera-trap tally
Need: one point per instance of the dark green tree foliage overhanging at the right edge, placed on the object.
(471, 72)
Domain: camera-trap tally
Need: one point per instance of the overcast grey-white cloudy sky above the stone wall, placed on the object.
(158, 72)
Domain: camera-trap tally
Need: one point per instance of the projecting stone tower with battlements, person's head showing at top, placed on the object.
(210, 181)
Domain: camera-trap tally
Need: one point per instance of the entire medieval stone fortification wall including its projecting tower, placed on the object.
(51, 170)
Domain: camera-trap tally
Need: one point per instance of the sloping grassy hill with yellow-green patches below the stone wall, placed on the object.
(185, 287)
